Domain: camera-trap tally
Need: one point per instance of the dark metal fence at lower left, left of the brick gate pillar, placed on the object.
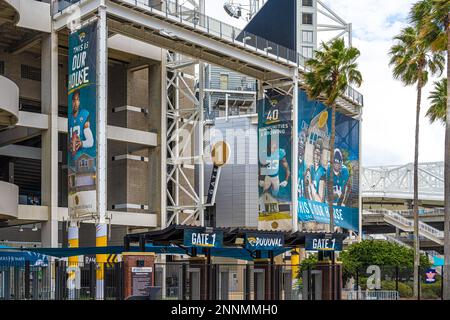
(60, 280)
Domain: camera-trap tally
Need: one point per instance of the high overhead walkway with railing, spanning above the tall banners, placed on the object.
(190, 33)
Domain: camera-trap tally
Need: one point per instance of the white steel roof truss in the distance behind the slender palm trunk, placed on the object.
(397, 181)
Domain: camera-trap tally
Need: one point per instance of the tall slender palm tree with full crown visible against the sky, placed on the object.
(412, 62)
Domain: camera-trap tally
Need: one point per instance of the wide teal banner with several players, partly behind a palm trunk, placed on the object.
(314, 166)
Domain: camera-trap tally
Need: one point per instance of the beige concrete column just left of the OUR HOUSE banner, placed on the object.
(49, 162)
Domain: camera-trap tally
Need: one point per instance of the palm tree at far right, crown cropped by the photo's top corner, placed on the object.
(434, 18)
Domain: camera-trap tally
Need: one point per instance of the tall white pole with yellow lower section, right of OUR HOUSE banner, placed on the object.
(102, 78)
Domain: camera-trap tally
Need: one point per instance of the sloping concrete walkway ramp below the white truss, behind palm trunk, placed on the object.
(396, 220)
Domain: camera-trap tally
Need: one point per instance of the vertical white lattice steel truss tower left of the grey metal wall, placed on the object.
(185, 125)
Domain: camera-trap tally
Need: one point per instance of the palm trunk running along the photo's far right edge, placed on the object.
(447, 179)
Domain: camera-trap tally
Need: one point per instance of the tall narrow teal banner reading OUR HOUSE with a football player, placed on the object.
(82, 108)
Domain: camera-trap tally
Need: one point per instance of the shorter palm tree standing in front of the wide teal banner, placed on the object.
(331, 71)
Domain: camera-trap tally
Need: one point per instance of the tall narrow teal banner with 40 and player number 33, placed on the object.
(274, 155)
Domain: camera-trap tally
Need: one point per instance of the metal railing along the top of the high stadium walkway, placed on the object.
(213, 27)
